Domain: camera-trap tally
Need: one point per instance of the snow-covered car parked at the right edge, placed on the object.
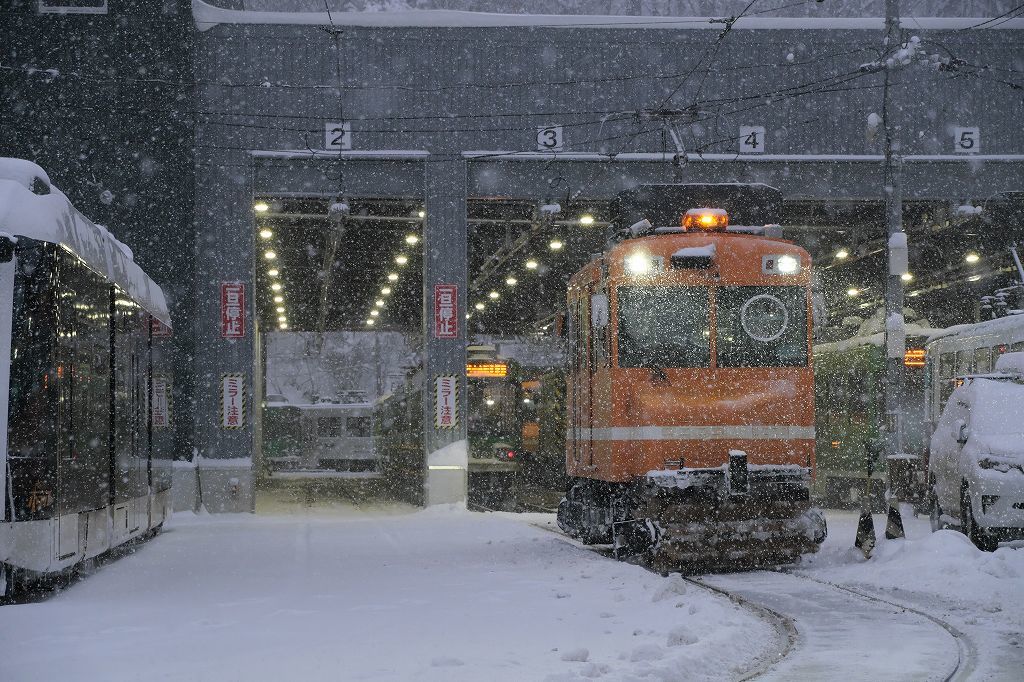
(976, 462)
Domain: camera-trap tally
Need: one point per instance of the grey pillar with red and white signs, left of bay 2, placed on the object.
(225, 254)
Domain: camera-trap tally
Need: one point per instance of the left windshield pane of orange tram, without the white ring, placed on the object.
(664, 327)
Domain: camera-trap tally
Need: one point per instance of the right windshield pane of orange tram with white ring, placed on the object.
(762, 327)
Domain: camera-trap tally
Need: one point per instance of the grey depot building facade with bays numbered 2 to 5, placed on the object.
(172, 121)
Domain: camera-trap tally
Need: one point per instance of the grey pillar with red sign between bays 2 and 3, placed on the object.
(445, 359)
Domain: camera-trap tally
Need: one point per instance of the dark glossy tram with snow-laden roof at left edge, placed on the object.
(86, 440)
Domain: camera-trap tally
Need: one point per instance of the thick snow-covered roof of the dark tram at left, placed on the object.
(53, 219)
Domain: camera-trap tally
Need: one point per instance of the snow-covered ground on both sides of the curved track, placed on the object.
(393, 594)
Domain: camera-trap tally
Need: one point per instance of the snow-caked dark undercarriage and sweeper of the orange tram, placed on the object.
(733, 517)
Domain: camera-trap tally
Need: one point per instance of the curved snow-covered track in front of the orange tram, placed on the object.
(830, 631)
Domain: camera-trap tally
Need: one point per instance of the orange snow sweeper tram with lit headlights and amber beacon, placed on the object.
(691, 394)
